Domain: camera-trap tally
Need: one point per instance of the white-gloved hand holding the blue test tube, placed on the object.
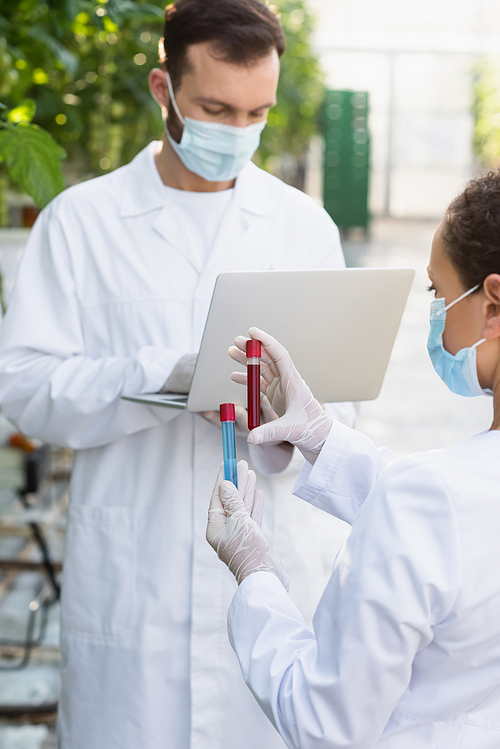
(233, 528)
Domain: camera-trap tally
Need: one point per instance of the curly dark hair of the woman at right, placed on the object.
(471, 230)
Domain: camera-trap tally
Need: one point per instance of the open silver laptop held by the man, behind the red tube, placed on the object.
(338, 325)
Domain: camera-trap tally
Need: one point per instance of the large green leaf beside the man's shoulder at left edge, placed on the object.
(33, 160)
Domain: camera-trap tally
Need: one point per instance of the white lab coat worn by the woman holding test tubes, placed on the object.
(406, 650)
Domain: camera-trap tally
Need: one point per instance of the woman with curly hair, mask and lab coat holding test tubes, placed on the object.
(405, 651)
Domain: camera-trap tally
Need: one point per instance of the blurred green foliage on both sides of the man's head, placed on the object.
(85, 64)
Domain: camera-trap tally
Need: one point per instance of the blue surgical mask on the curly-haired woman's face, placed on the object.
(459, 371)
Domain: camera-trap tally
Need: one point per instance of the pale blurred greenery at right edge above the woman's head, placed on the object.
(486, 109)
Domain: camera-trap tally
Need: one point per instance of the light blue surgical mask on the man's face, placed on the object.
(214, 151)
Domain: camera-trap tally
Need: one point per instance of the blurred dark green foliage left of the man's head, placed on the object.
(85, 64)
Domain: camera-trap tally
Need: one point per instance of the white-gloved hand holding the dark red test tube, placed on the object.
(301, 419)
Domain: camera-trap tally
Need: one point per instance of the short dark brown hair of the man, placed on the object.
(240, 32)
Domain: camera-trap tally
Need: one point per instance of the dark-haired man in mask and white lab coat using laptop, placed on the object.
(111, 299)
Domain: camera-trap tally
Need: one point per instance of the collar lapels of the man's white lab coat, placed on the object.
(143, 187)
